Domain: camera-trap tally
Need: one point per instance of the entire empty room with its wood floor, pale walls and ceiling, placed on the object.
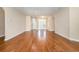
(39, 29)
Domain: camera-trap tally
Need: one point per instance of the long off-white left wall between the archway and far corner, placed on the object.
(14, 23)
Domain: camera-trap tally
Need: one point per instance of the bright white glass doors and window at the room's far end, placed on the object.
(38, 24)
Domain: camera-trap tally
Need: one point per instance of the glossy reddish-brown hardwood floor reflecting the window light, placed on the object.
(39, 41)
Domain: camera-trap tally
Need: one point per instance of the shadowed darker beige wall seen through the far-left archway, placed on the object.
(2, 22)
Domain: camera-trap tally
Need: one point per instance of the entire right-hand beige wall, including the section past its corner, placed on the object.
(66, 23)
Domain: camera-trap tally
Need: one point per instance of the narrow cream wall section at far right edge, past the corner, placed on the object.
(74, 23)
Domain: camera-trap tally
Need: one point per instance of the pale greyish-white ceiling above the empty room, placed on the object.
(38, 11)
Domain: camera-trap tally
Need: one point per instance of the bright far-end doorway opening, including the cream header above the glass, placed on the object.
(39, 23)
